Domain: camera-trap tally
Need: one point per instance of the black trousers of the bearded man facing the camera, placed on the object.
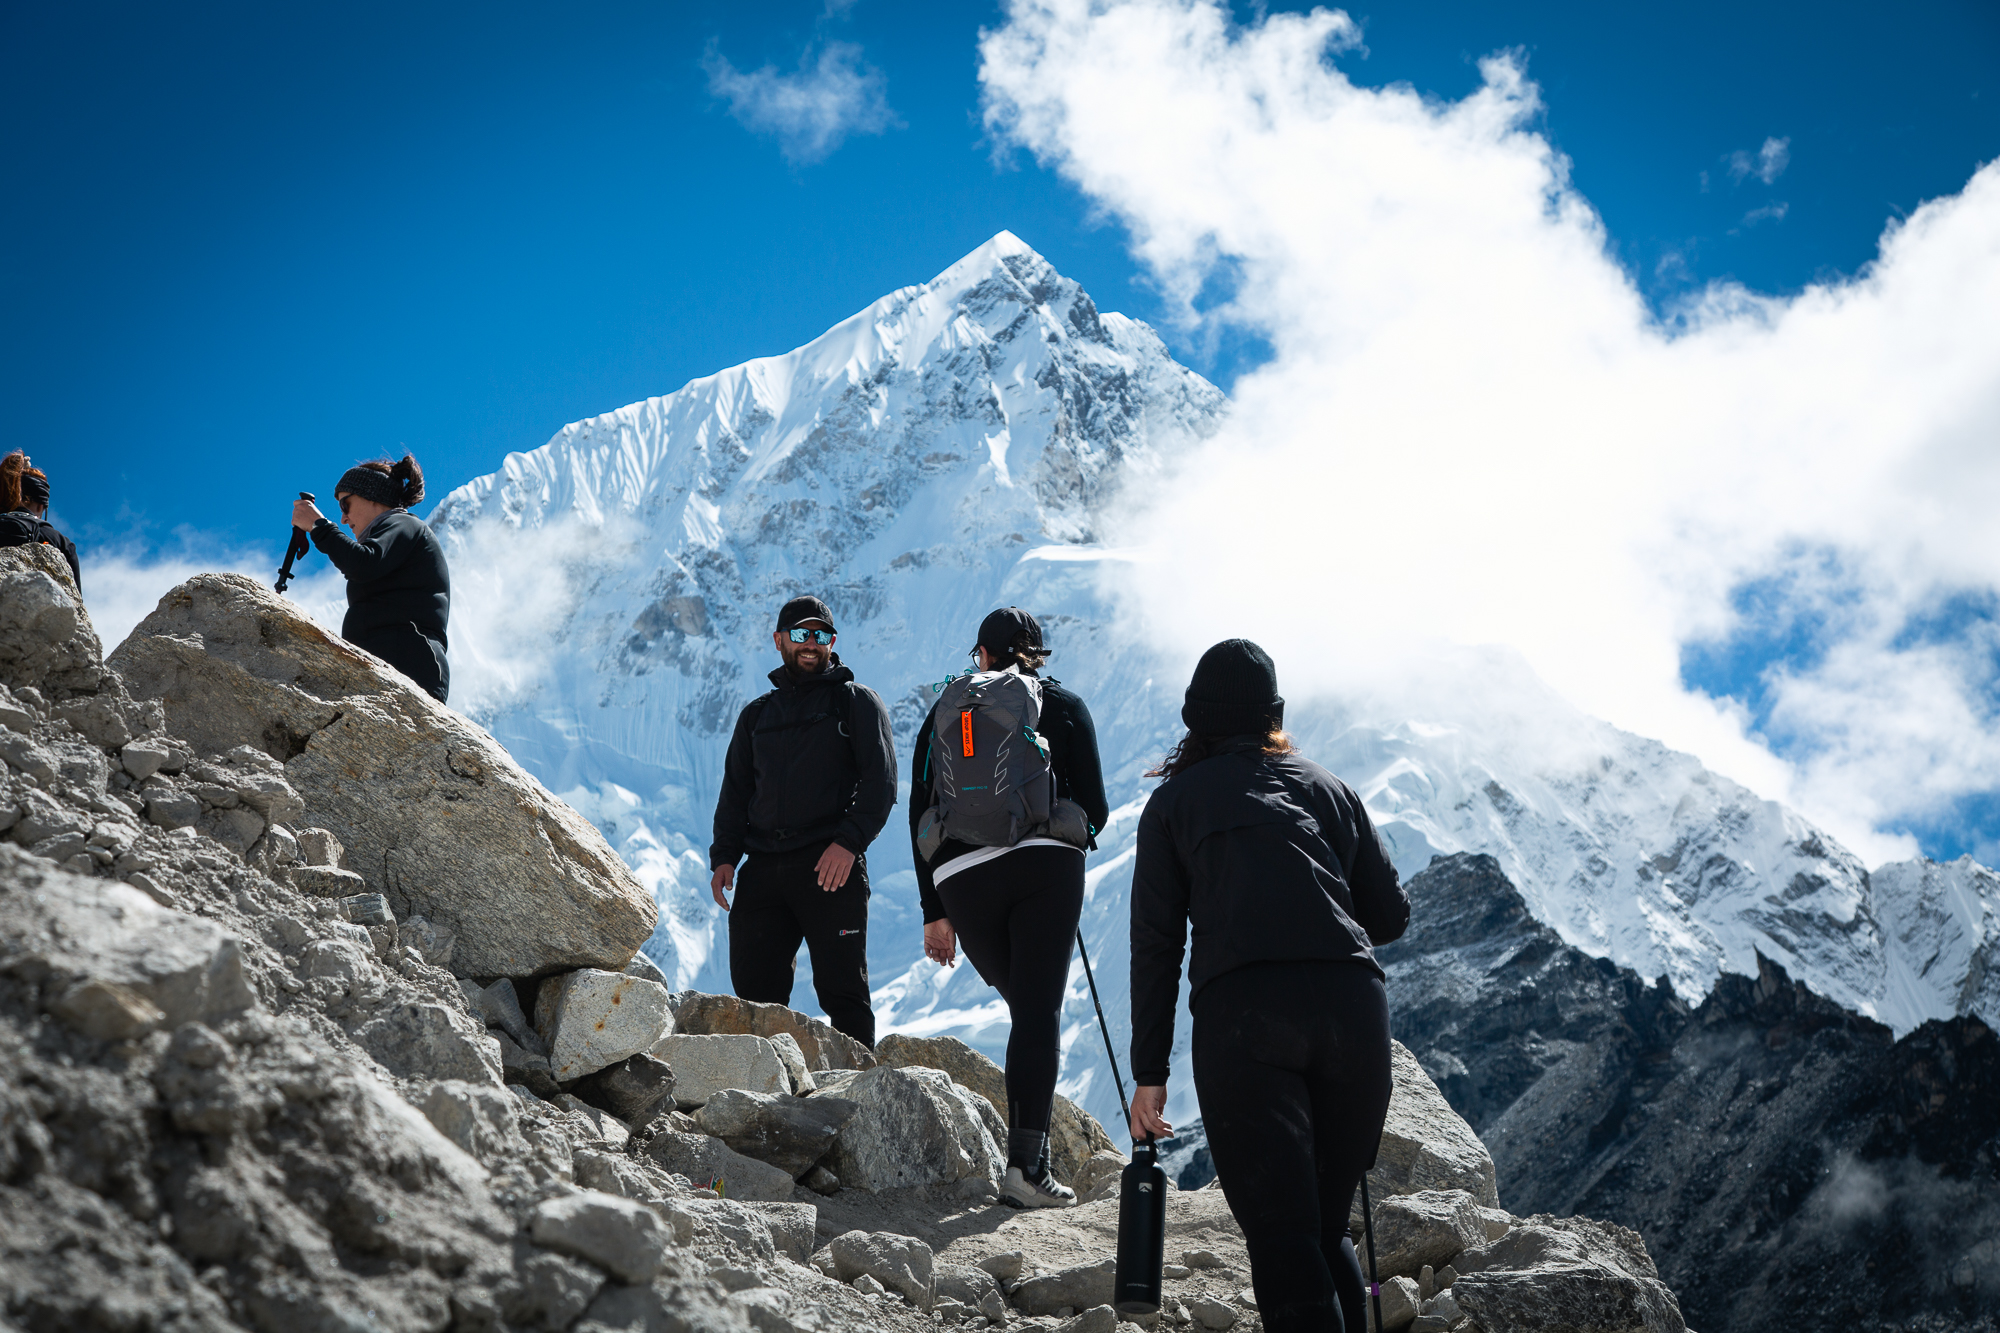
(779, 906)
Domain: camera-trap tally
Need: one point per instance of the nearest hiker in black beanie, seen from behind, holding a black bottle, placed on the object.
(1289, 888)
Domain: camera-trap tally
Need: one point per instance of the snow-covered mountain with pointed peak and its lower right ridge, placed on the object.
(959, 447)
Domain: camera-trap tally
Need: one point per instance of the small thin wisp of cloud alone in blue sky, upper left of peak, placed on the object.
(809, 113)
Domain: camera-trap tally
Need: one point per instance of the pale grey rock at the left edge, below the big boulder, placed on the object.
(75, 930)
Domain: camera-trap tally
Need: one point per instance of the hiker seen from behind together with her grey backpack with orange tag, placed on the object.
(1007, 880)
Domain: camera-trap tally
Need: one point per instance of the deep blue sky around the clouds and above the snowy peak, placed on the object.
(253, 245)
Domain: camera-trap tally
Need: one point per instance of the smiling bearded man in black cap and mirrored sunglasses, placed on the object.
(809, 782)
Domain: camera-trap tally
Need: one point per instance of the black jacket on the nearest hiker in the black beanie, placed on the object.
(1275, 860)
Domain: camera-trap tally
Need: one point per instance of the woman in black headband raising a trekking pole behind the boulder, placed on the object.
(399, 587)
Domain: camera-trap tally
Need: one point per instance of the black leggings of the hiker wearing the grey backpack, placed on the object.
(1017, 918)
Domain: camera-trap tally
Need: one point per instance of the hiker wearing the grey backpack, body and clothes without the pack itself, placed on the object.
(1015, 908)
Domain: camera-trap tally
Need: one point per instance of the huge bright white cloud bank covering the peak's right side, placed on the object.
(1475, 431)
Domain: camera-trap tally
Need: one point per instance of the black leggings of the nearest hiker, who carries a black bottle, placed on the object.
(1291, 1064)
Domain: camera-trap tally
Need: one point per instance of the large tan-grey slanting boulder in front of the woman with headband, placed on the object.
(431, 810)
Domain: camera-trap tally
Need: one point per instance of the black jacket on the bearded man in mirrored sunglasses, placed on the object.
(811, 762)
